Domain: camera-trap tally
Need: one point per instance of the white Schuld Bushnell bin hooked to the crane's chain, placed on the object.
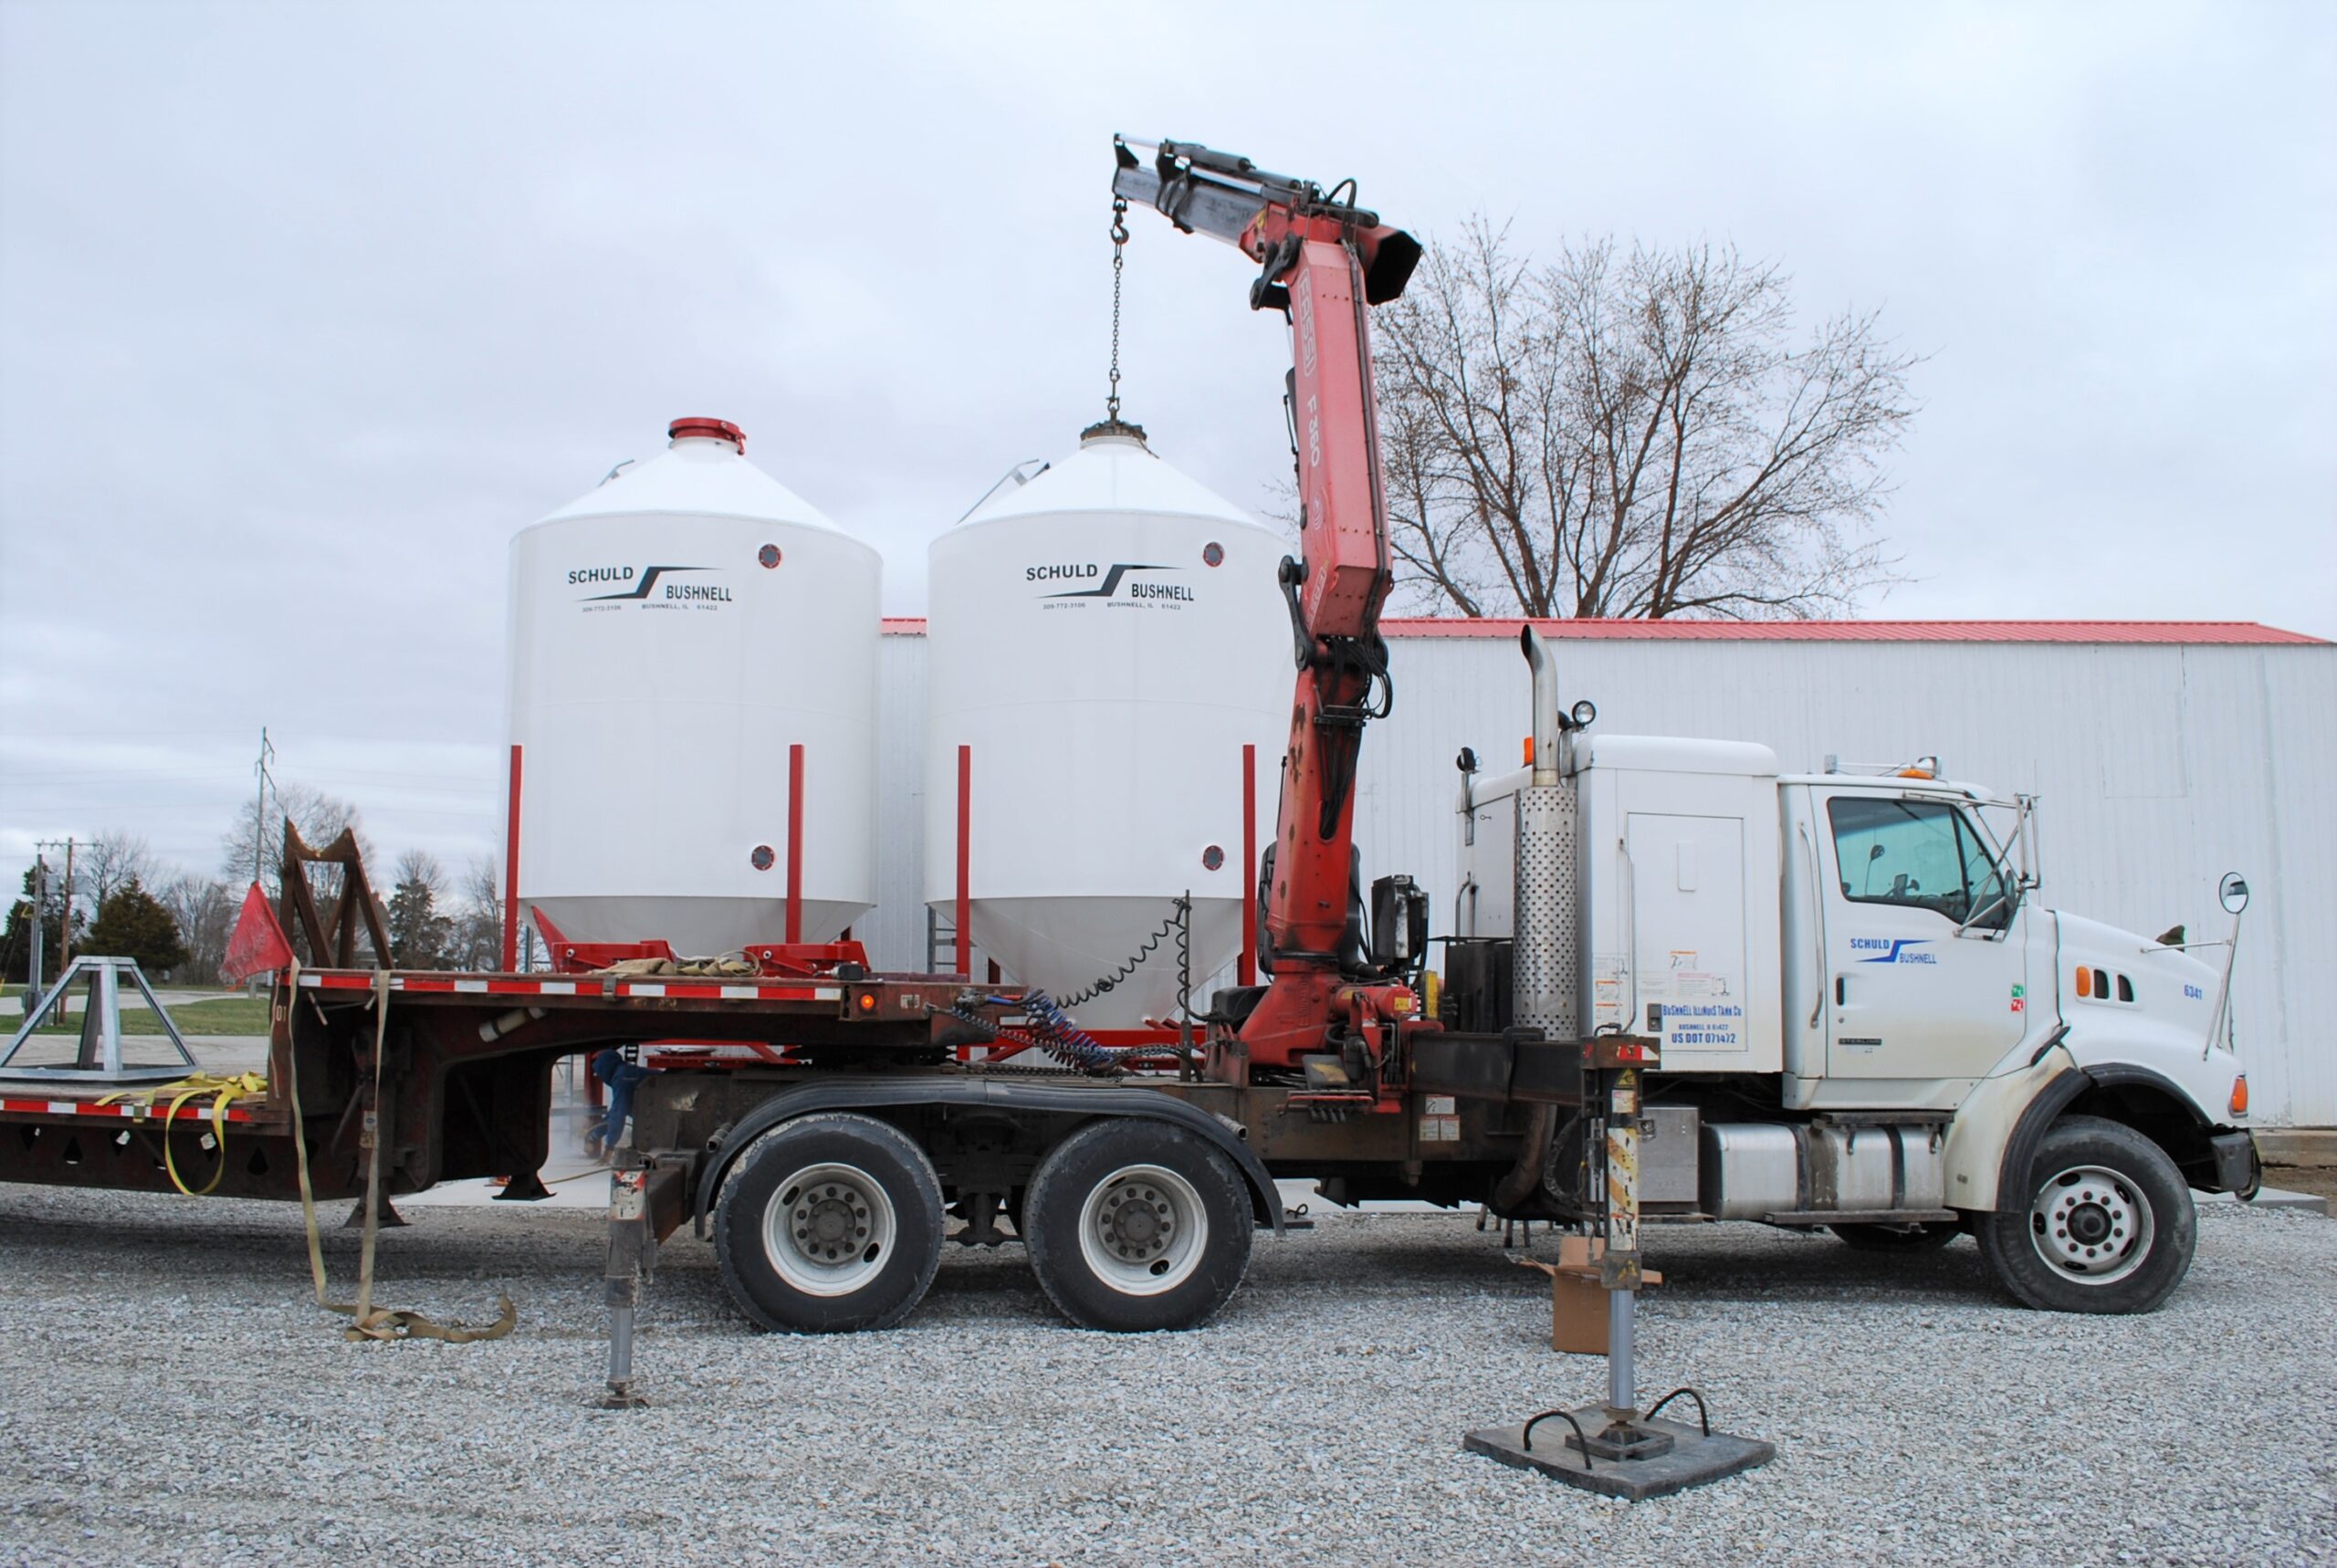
(1107, 639)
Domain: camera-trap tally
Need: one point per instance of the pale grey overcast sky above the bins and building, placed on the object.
(305, 310)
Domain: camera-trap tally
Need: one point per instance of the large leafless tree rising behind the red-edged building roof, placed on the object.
(1632, 436)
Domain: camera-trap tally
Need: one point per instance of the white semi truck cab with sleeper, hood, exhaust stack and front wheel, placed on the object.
(1866, 1015)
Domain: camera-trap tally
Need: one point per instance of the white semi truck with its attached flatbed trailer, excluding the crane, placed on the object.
(1838, 994)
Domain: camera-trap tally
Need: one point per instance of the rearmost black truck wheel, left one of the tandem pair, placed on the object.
(828, 1226)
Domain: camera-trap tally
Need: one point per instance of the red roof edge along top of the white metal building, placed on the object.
(1815, 632)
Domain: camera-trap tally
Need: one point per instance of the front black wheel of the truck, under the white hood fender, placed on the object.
(2102, 1223)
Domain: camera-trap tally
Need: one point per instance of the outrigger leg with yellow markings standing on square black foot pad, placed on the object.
(1616, 1448)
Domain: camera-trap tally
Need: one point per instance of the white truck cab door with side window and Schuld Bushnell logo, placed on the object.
(1908, 999)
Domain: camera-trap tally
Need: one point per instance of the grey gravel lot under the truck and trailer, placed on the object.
(169, 1394)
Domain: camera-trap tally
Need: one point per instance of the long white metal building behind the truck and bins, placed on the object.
(2165, 754)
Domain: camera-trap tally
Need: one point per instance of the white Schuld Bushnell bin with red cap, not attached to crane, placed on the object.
(674, 634)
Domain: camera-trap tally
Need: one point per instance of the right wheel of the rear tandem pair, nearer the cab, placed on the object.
(1172, 1228)
